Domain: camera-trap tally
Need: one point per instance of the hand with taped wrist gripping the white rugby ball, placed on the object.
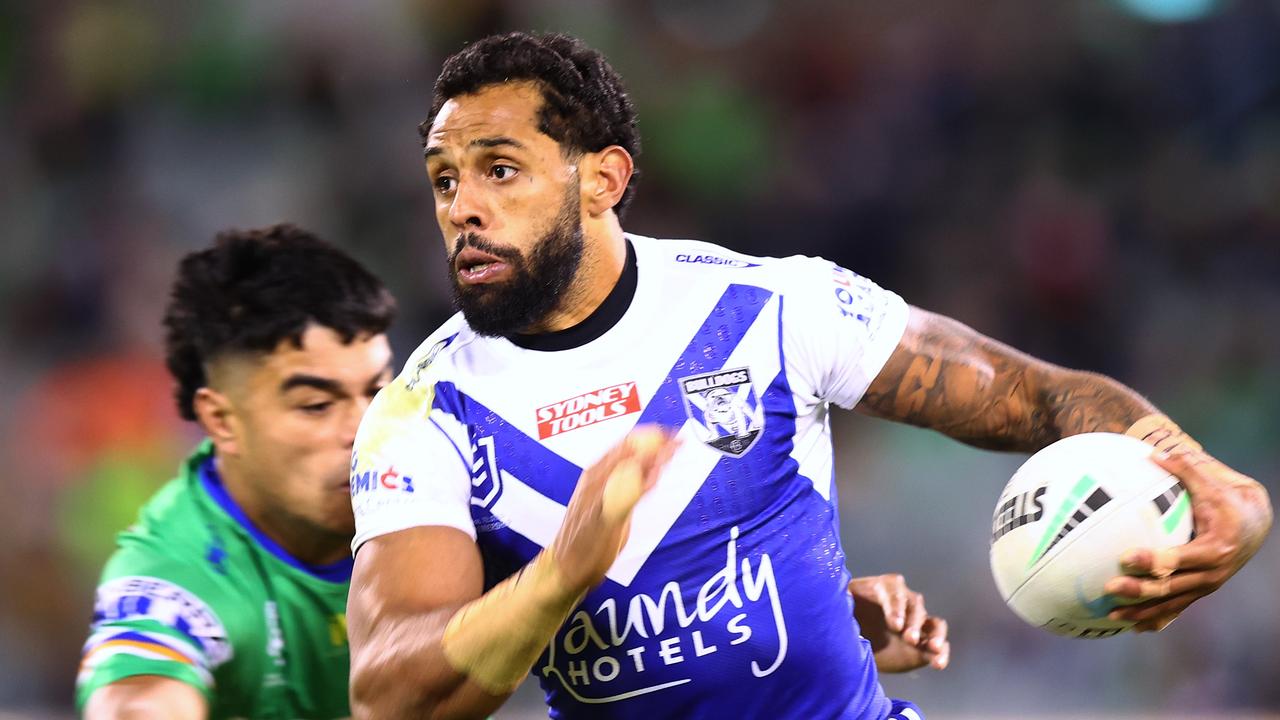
(1232, 514)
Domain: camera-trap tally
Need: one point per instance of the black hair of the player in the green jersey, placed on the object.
(254, 290)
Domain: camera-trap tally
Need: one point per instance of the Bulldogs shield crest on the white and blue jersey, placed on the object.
(729, 414)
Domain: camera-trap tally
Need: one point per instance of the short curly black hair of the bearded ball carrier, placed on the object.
(586, 107)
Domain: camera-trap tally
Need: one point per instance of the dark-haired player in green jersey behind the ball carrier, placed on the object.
(227, 598)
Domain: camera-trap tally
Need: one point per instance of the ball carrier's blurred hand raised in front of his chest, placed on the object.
(600, 514)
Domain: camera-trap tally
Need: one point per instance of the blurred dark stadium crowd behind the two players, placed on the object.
(1094, 181)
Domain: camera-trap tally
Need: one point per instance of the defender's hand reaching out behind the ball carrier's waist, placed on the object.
(903, 635)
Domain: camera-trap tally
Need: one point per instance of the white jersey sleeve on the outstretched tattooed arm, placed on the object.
(839, 330)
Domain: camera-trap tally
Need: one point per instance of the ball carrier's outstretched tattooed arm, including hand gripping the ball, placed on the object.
(947, 377)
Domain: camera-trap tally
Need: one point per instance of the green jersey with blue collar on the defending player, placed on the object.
(196, 593)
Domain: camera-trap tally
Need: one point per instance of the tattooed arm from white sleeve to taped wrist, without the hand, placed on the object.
(947, 377)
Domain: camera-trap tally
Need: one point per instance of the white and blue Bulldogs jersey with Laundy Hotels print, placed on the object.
(730, 598)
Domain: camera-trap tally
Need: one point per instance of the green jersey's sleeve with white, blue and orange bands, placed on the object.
(152, 625)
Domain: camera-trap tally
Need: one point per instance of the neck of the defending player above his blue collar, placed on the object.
(303, 541)
